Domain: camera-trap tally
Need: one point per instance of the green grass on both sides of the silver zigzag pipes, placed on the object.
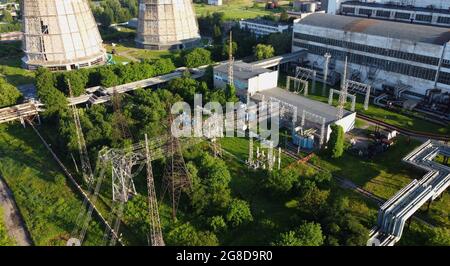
(385, 175)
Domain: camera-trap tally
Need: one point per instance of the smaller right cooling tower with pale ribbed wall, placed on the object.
(166, 24)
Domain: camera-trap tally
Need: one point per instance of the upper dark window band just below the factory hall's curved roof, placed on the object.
(369, 49)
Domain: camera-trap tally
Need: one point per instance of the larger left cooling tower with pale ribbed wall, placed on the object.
(60, 35)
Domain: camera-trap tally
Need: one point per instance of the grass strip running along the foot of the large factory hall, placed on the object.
(398, 119)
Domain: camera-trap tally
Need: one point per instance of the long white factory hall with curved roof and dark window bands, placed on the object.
(408, 59)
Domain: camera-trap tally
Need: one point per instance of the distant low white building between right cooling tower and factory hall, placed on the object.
(263, 27)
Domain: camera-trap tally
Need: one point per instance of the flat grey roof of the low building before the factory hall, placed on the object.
(302, 103)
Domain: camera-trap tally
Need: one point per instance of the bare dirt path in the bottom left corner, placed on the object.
(12, 218)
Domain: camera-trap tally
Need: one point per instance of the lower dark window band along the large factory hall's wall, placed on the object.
(386, 65)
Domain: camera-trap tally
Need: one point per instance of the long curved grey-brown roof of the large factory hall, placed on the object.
(389, 29)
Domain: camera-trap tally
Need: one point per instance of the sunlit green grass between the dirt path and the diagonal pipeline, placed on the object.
(45, 199)
